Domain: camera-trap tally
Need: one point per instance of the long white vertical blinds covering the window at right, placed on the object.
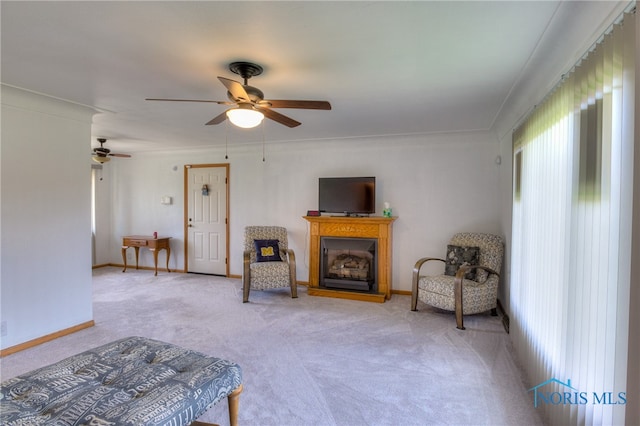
(570, 262)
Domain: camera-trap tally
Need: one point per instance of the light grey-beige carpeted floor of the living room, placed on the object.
(313, 360)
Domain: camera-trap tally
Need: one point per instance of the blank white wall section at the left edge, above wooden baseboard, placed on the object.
(45, 220)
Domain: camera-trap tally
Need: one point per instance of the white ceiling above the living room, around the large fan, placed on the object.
(386, 67)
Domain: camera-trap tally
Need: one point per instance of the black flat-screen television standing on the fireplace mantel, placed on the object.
(347, 195)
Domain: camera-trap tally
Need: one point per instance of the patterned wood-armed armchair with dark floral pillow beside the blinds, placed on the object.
(470, 282)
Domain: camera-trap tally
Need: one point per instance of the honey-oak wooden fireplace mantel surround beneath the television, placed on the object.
(351, 227)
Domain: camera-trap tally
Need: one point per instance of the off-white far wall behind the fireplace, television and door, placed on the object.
(437, 185)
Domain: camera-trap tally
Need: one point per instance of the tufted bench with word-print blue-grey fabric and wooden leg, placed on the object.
(132, 381)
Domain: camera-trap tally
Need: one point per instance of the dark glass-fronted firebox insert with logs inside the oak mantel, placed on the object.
(349, 263)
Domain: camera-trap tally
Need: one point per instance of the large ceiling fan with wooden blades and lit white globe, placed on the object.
(250, 106)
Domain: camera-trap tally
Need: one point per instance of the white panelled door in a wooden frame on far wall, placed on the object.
(206, 219)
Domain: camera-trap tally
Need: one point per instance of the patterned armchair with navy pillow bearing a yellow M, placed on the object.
(268, 261)
